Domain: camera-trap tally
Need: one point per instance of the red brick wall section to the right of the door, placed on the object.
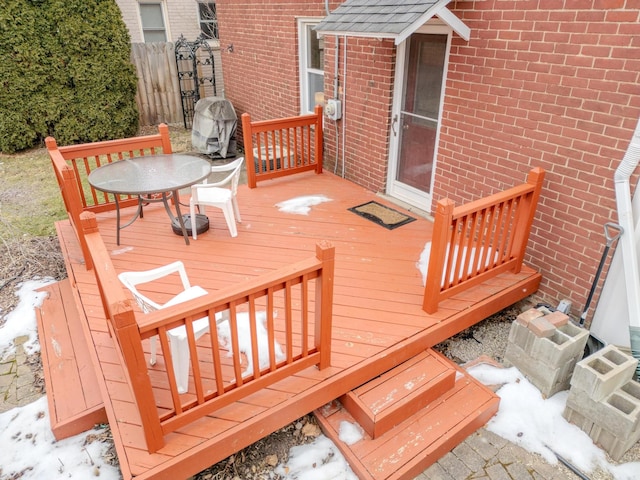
(545, 83)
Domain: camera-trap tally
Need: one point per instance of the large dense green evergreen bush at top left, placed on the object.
(65, 71)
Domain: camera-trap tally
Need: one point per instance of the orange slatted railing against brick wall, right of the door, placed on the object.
(478, 240)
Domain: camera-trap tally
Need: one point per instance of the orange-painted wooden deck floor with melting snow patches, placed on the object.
(378, 320)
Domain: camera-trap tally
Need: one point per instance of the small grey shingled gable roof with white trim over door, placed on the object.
(396, 19)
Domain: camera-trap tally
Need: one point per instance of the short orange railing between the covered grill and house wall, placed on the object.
(284, 146)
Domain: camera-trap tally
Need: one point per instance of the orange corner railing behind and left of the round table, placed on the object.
(72, 165)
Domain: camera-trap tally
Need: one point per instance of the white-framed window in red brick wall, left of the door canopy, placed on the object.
(311, 58)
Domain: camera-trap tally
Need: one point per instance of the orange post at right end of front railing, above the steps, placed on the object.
(324, 302)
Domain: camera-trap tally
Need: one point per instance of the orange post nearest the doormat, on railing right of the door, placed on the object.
(438, 255)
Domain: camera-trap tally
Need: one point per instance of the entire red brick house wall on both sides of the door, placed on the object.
(545, 83)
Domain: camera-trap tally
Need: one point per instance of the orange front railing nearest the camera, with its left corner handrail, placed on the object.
(278, 325)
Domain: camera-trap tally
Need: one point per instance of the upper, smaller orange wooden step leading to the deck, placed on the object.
(384, 402)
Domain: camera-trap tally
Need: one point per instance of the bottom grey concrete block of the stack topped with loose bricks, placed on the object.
(547, 379)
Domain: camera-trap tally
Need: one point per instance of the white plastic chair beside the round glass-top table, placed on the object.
(216, 195)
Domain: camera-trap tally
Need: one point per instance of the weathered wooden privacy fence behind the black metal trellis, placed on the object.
(158, 96)
